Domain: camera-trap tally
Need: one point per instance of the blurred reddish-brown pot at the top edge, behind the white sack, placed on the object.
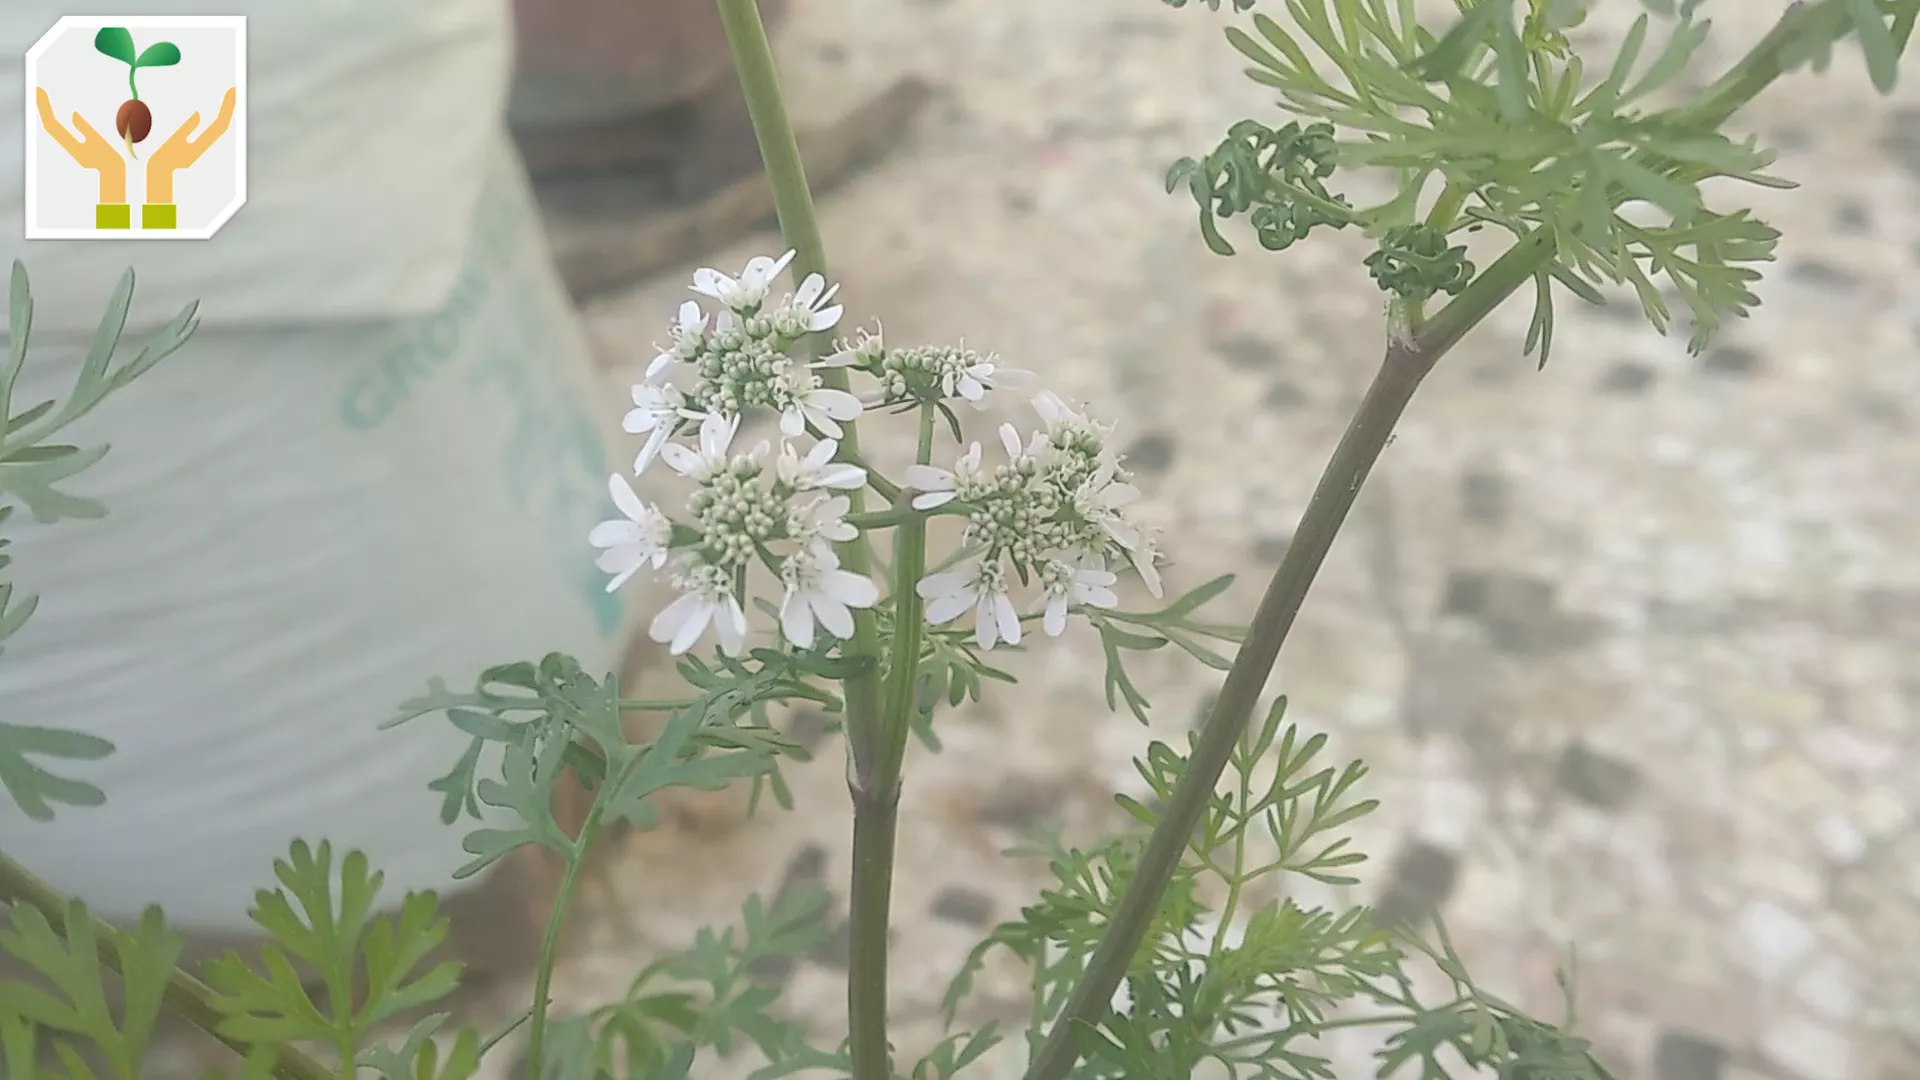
(598, 61)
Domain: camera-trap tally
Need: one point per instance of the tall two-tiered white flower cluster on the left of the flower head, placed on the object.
(763, 506)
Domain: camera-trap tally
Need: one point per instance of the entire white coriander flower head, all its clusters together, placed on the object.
(1051, 520)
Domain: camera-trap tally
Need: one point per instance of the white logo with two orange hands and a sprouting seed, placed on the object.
(114, 162)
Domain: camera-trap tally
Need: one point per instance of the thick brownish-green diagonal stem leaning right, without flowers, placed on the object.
(1401, 374)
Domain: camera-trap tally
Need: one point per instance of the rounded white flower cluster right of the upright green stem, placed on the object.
(1051, 516)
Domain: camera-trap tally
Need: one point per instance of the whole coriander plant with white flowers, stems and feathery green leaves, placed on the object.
(807, 574)
